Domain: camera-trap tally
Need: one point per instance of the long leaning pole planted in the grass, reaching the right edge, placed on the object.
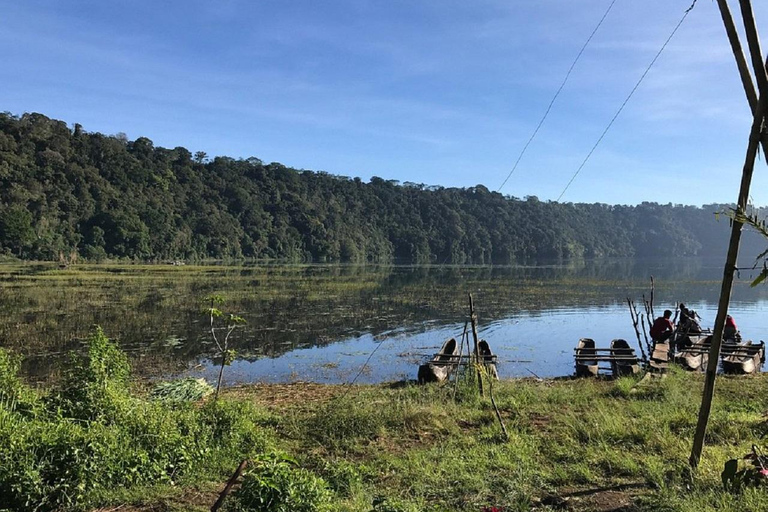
(728, 273)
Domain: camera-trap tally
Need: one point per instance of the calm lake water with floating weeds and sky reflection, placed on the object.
(321, 323)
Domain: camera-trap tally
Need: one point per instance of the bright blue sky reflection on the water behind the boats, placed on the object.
(527, 344)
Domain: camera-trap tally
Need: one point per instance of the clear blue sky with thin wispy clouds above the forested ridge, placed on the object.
(440, 92)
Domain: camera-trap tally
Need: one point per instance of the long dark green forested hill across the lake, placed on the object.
(65, 190)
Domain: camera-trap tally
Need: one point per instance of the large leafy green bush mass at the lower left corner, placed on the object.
(92, 436)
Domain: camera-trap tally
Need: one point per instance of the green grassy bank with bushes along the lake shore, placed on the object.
(95, 441)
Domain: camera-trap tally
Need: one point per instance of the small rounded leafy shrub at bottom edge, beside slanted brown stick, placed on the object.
(275, 484)
